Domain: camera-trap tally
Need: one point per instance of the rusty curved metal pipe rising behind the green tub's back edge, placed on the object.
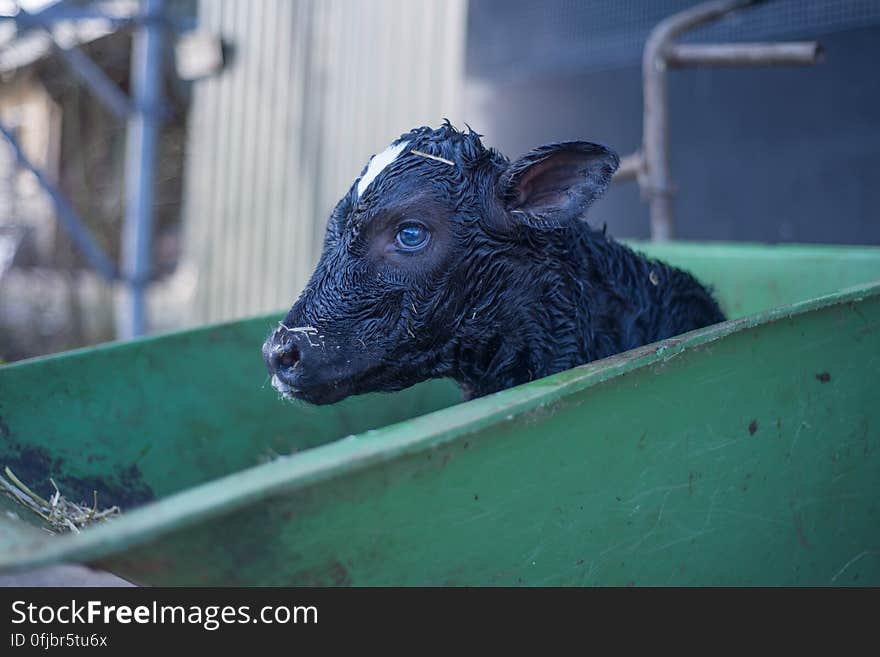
(656, 181)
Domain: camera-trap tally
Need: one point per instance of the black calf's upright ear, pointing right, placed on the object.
(556, 183)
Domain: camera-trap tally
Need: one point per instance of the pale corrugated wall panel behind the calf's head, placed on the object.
(312, 88)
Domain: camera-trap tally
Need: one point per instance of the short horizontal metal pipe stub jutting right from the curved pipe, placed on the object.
(799, 53)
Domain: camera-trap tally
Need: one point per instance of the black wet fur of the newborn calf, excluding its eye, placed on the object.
(513, 285)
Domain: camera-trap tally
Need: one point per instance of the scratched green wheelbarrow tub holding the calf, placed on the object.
(747, 453)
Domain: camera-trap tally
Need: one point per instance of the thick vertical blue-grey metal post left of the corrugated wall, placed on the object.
(140, 165)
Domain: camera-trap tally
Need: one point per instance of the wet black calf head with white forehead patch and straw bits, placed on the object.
(436, 263)
